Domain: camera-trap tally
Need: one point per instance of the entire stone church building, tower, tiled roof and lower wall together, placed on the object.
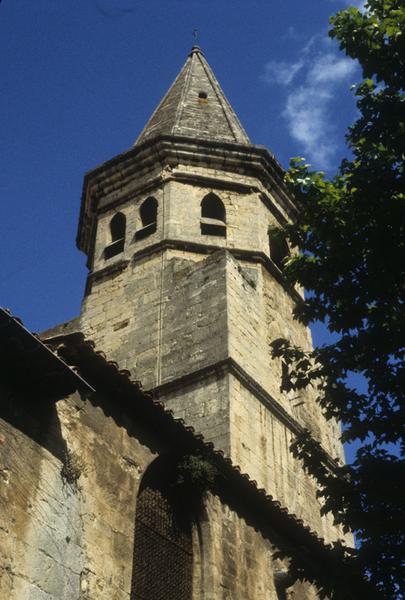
(155, 424)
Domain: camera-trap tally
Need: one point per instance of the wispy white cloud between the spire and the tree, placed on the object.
(317, 75)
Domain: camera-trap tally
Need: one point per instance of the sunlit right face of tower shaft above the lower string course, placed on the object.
(260, 311)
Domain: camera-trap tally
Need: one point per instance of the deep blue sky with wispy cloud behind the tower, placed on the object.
(81, 77)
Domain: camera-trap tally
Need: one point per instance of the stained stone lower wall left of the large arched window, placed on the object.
(60, 541)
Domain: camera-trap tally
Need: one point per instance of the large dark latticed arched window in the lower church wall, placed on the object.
(163, 555)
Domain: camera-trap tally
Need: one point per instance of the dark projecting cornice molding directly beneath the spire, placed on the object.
(167, 152)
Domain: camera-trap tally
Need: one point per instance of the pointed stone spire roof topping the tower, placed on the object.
(195, 106)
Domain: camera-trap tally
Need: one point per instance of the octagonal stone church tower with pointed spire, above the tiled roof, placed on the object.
(185, 288)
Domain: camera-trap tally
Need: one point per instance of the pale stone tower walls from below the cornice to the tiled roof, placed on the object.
(183, 312)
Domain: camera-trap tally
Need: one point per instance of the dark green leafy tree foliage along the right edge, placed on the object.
(351, 235)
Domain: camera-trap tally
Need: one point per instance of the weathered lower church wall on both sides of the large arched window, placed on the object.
(66, 540)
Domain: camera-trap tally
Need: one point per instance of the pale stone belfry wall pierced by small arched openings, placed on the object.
(178, 218)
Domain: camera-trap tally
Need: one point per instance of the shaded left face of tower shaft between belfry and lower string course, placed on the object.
(162, 317)
